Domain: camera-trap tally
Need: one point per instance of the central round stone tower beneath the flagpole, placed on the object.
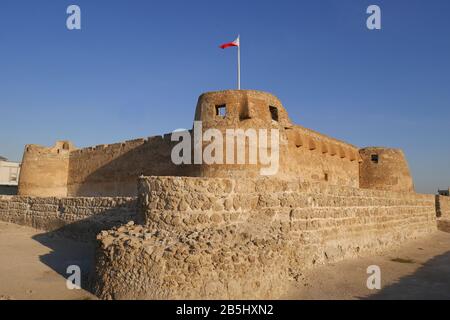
(246, 112)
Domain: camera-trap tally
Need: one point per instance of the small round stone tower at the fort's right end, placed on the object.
(384, 169)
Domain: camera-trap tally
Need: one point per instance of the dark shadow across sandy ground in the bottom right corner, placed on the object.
(430, 281)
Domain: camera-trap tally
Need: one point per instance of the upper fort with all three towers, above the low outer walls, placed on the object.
(112, 169)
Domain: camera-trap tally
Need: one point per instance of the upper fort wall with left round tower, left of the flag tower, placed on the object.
(100, 171)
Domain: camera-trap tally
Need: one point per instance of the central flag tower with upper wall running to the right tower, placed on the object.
(304, 153)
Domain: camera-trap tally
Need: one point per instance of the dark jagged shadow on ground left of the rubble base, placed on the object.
(75, 244)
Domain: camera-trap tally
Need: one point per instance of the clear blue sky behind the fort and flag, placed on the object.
(137, 67)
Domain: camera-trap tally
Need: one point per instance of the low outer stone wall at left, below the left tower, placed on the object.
(80, 218)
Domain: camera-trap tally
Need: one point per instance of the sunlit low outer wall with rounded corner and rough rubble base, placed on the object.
(238, 239)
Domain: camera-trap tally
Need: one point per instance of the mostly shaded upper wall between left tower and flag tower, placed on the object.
(112, 170)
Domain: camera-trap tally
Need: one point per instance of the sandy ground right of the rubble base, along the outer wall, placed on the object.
(417, 269)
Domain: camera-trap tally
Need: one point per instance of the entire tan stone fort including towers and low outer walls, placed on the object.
(166, 231)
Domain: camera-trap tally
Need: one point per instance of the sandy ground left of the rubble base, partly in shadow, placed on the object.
(32, 264)
